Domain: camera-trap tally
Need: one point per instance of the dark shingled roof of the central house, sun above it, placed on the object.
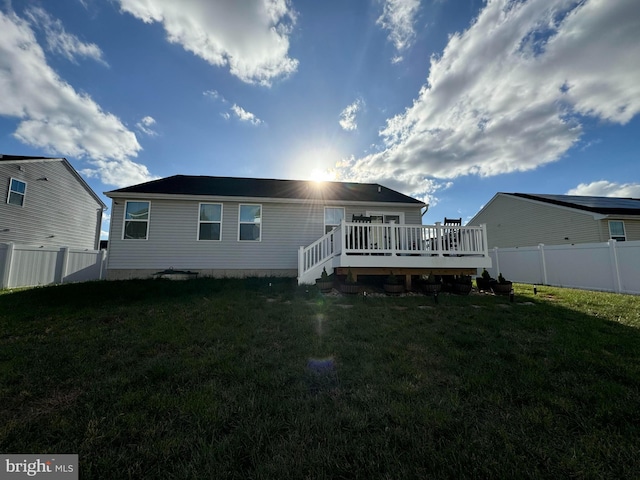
(269, 188)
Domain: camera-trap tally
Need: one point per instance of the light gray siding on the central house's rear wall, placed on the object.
(173, 228)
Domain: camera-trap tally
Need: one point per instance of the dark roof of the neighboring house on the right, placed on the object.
(602, 205)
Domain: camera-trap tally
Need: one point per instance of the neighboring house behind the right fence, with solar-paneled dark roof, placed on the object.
(520, 219)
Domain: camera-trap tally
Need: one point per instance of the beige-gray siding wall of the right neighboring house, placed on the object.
(517, 222)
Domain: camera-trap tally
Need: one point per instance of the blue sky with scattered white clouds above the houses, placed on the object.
(449, 101)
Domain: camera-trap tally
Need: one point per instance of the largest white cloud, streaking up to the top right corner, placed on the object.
(507, 94)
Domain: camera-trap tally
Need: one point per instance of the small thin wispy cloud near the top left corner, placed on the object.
(60, 41)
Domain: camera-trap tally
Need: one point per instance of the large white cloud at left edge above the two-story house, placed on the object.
(56, 118)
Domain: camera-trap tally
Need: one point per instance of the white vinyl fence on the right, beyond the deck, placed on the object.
(611, 266)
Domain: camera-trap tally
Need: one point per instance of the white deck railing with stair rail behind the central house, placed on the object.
(393, 239)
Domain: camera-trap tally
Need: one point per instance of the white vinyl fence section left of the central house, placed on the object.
(28, 266)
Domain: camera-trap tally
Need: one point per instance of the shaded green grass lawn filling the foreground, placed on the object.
(238, 379)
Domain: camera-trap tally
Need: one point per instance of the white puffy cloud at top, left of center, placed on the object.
(251, 37)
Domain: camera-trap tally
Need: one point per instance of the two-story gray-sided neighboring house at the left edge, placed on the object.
(47, 203)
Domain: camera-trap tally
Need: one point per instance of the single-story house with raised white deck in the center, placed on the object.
(224, 227)
